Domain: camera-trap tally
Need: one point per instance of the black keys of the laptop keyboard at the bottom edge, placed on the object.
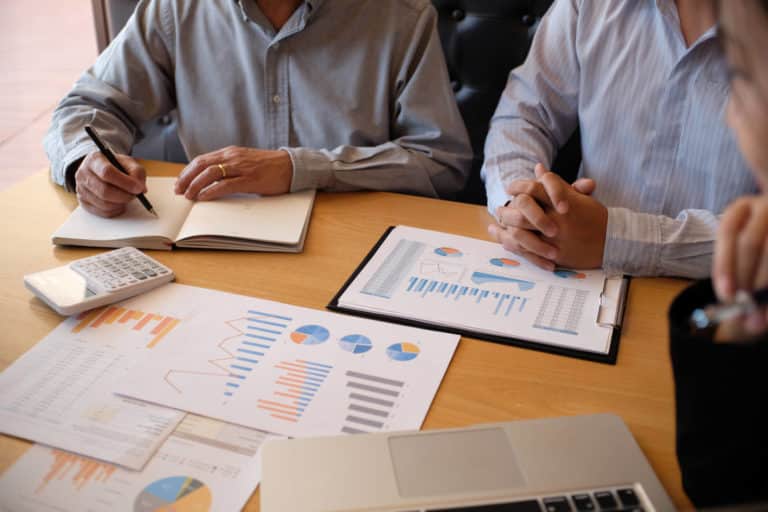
(623, 499)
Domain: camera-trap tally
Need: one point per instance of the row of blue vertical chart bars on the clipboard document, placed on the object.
(503, 304)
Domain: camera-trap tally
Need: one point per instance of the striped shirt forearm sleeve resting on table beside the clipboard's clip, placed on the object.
(643, 244)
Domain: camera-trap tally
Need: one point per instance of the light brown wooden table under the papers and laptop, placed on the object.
(486, 382)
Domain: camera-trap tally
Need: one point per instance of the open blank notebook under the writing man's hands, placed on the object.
(245, 222)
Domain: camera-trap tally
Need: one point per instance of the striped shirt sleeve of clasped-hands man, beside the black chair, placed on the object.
(538, 110)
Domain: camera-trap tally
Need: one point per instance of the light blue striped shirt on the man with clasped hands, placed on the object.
(651, 113)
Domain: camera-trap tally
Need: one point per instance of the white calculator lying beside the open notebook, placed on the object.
(98, 280)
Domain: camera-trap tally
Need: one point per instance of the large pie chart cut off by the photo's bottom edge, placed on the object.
(177, 494)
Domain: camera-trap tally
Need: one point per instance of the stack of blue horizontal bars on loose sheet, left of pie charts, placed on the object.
(261, 331)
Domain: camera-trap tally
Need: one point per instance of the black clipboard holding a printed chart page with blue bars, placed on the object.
(477, 289)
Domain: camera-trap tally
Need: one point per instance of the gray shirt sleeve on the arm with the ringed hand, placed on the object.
(429, 153)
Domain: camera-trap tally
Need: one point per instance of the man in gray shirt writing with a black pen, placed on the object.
(272, 96)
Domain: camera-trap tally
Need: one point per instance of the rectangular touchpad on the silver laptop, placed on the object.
(454, 462)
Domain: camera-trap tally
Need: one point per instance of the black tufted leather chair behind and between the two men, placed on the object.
(483, 40)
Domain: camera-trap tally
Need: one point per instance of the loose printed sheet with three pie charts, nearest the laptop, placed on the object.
(289, 370)
